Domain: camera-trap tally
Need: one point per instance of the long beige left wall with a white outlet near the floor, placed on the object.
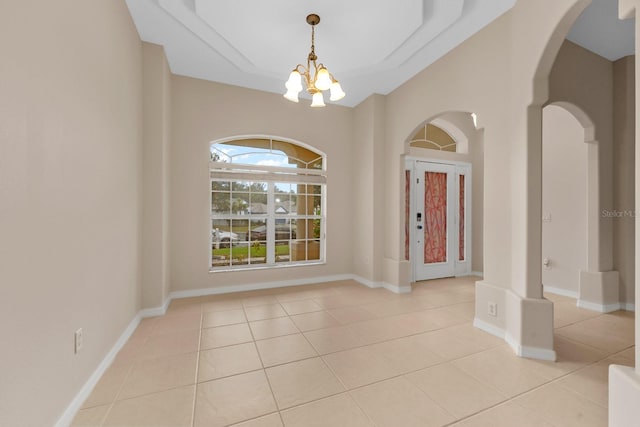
(70, 152)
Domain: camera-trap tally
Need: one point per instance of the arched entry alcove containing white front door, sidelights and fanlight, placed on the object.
(443, 197)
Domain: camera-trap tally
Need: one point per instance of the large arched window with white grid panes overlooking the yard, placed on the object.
(267, 203)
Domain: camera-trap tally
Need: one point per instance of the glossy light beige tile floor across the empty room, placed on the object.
(340, 354)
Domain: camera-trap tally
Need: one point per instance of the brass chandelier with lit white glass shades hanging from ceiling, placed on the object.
(317, 82)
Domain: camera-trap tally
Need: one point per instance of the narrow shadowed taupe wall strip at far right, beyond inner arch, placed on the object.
(623, 168)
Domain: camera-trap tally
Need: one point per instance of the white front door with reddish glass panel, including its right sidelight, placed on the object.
(440, 243)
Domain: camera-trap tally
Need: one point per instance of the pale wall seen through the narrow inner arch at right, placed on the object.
(564, 199)
